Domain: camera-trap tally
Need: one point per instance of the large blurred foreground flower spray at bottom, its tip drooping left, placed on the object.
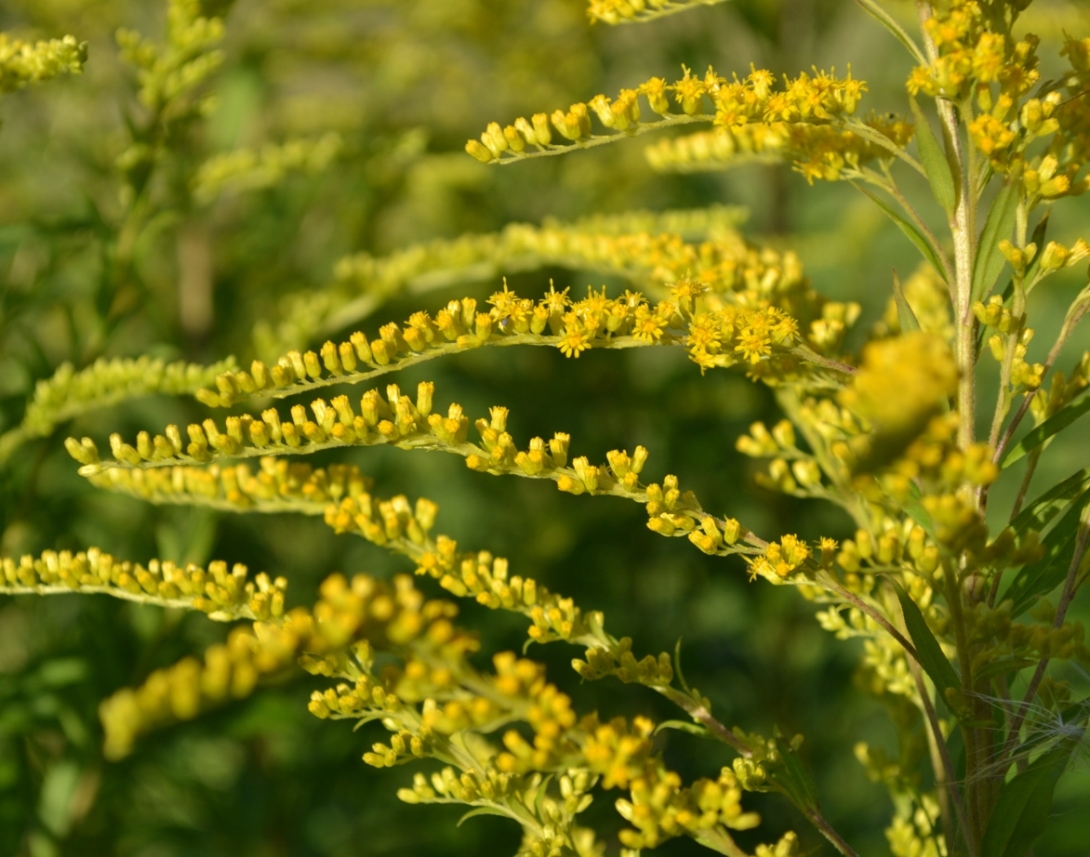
(437, 705)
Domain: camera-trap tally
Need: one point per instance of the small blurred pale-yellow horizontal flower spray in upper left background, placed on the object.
(248, 170)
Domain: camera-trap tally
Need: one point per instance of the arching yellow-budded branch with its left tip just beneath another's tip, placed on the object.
(342, 494)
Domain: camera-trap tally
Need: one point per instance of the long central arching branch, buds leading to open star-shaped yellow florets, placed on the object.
(714, 337)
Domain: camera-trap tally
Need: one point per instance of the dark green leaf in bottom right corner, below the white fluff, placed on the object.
(1023, 808)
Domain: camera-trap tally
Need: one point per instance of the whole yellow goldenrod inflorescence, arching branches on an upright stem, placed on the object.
(953, 617)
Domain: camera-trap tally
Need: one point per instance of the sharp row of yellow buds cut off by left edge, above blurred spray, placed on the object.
(224, 594)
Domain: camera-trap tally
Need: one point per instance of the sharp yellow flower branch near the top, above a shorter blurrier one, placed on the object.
(805, 100)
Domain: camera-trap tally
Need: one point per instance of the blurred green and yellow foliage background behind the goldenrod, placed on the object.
(405, 83)
